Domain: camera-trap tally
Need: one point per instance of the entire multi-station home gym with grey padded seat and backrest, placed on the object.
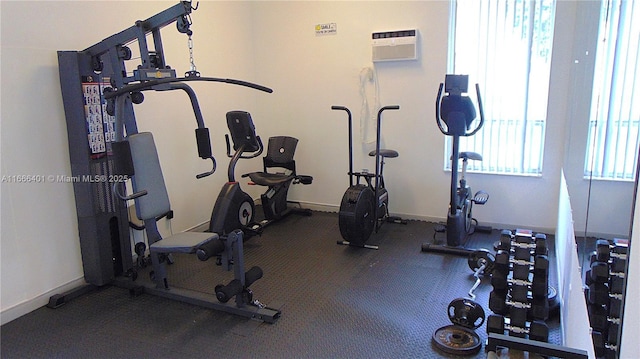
(106, 150)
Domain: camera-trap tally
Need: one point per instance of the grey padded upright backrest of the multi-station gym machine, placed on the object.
(148, 176)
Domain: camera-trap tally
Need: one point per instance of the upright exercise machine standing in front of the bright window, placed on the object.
(454, 115)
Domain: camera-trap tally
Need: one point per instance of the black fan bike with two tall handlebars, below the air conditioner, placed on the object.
(359, 213)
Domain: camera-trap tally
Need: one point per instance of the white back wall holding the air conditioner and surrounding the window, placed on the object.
(312, 73)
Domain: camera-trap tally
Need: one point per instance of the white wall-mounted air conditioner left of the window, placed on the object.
(394, 45)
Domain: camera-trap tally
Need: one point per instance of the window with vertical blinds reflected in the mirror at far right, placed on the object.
(612, 147)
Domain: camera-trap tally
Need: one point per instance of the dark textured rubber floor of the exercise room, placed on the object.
(337, 302)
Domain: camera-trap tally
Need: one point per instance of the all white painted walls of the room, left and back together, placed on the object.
(274, 44)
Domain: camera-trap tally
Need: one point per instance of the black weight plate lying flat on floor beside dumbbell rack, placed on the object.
(454, 339)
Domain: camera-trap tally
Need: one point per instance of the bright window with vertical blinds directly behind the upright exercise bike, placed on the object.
(505, 47)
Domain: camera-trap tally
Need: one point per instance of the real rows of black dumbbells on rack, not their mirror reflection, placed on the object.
(520, 283)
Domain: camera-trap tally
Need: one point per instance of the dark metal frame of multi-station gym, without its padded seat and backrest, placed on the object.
(98, 96)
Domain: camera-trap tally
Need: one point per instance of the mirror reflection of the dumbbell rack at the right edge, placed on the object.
(604, 281)
